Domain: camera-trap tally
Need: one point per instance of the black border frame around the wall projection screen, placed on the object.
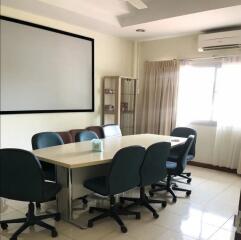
(58, 31)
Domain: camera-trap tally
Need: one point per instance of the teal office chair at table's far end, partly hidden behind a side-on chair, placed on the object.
(176, 151)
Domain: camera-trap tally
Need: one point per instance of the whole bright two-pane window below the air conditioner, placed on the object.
(209, 92)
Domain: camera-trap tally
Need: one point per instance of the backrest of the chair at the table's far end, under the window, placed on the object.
(185, 132)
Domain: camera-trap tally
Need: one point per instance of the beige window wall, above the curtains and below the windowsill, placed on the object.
(182, 48)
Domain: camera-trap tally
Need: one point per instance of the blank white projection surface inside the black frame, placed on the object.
(44, 70)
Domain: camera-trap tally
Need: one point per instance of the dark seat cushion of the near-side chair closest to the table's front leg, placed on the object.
(98, 185)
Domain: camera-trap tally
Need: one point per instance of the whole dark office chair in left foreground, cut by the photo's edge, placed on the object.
(22, 179)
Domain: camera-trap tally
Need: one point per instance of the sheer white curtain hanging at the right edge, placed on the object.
(227, 148)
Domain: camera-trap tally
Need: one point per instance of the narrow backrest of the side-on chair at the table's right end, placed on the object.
(182, 157)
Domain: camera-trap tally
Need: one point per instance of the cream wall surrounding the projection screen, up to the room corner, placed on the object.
(113, 56)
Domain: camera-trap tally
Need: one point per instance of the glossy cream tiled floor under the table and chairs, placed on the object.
(207, 214)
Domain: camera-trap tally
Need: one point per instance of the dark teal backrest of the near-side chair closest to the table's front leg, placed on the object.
(124, 173)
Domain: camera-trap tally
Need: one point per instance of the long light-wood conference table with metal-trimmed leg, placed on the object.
(76, 162)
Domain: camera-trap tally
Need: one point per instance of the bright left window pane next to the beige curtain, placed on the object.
(196, 93)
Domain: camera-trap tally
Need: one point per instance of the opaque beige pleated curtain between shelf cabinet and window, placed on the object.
(159, 99)
